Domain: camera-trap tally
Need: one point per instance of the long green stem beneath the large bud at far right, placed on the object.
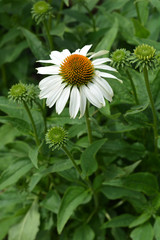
(145, 72)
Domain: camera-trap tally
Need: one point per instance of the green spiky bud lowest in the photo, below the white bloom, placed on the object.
(56, 137)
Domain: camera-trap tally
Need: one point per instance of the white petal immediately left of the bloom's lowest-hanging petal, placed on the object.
(62, 100)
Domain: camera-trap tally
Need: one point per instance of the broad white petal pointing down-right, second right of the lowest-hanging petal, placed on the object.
(94, 95)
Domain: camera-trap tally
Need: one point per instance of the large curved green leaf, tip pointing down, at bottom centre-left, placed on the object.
(73, 197)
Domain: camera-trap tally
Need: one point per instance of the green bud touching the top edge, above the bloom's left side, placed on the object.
(40, 11)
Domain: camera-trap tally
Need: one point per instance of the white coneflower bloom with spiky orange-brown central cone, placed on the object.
(75, 76)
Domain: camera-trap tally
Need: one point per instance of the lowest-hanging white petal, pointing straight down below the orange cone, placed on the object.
(74, 102)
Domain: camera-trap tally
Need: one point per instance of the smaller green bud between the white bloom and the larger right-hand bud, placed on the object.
(120, 59)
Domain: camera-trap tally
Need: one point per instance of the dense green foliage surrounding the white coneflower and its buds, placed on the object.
(41, 194)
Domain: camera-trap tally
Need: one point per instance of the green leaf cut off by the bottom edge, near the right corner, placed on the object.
(144, 232)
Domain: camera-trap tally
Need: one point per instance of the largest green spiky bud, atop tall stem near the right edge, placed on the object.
(144, 56)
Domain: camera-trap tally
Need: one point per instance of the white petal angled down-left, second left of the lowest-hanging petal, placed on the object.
(53, 97)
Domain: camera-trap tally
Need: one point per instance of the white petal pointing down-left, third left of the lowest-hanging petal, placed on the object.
(46, 92)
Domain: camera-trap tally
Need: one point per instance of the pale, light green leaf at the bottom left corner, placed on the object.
(27, 229)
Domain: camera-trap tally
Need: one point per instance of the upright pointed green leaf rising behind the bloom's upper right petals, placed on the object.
(108, 38)
